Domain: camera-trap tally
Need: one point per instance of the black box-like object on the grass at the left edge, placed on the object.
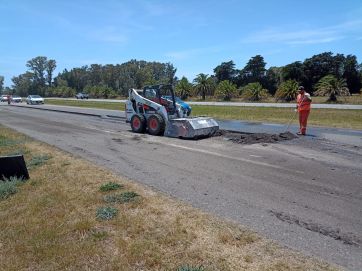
(13, 166)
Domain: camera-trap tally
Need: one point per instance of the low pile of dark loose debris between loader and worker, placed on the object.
(252, 138)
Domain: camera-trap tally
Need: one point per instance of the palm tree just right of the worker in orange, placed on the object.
(332, 87)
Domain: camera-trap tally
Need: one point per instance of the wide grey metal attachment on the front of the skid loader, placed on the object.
(191, 127)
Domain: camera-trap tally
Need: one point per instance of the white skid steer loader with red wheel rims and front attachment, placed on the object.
(154, 109)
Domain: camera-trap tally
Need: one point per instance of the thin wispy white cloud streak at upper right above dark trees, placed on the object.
(306, 36)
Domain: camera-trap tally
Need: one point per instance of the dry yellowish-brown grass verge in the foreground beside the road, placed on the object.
(50, 224)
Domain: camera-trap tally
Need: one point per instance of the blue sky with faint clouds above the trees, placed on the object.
(195, 36)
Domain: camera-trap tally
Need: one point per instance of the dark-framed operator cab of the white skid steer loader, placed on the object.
(157, 93)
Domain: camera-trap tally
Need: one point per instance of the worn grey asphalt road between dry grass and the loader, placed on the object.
(305, 193)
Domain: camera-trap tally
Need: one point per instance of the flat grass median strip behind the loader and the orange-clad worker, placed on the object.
(338, 118)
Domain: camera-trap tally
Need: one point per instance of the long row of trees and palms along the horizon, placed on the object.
(323, 74)
